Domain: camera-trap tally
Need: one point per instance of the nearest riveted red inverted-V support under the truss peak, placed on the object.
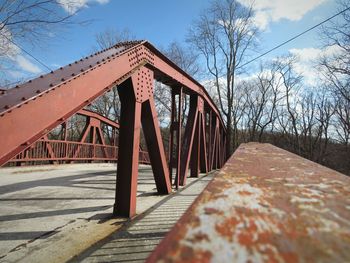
(137, 107)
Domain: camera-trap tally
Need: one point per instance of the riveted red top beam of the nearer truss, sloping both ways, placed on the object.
(67, 90)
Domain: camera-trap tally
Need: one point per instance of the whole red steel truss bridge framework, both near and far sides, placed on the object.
(28, 112)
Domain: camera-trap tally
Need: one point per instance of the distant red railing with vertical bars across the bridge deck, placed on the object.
(46, 150)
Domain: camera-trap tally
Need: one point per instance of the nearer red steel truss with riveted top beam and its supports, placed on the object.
(133, 66)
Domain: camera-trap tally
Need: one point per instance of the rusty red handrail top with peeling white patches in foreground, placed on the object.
(265, 205)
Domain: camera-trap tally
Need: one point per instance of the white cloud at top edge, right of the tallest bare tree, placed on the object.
(274, 10)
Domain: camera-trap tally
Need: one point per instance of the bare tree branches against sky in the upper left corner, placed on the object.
(30, 22)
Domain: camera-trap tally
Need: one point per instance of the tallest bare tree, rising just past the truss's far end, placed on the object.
(223, 34)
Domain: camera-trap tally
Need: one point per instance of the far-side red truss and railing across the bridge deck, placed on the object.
(54, 150)
